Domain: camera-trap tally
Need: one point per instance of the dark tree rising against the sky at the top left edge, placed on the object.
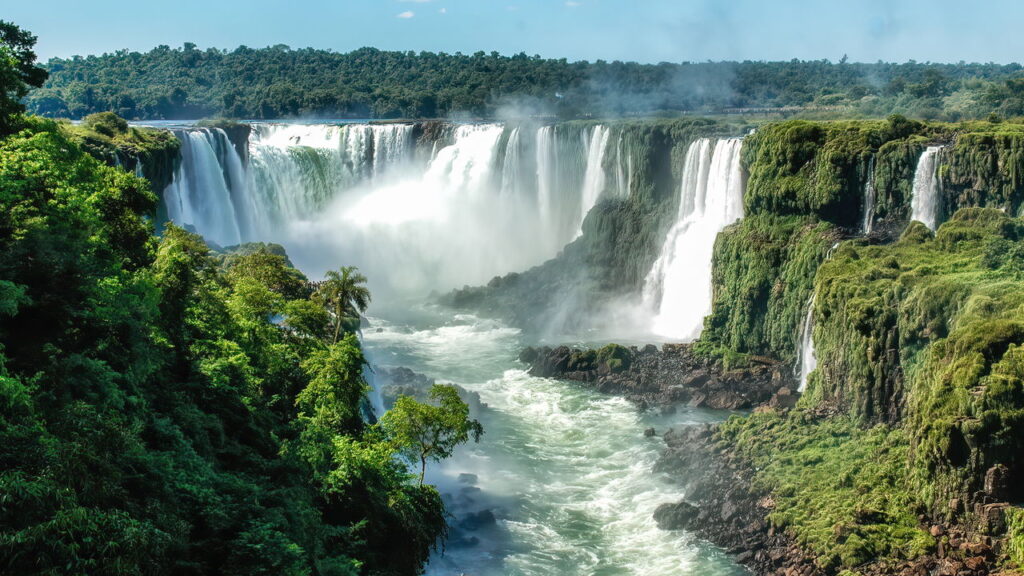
(18, 72)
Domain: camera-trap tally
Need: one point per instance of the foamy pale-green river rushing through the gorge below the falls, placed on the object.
(566, 471)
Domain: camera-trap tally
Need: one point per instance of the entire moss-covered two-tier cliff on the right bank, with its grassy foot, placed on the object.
(917, 337)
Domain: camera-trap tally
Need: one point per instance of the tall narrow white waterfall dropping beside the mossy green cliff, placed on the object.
(678, 286)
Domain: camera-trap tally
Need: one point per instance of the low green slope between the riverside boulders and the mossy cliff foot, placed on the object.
(840, 490)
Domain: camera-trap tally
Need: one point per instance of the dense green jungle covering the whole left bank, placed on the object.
(165, 409)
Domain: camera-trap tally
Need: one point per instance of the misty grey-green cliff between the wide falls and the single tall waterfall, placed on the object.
(622, 235)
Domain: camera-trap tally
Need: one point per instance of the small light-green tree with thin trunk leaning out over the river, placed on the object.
(429, 432)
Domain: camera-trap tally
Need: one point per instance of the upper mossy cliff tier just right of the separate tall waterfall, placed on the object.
(806, 191)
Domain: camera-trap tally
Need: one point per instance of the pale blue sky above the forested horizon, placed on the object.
(639, 30)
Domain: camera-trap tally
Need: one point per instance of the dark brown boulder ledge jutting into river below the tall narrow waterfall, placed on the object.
(673, 375)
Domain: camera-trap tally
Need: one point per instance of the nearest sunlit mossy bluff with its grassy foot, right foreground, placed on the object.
(920, 353)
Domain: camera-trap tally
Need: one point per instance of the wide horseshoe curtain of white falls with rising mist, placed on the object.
(485, 200)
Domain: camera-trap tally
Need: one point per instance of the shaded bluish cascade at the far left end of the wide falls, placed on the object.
(200, 195)
